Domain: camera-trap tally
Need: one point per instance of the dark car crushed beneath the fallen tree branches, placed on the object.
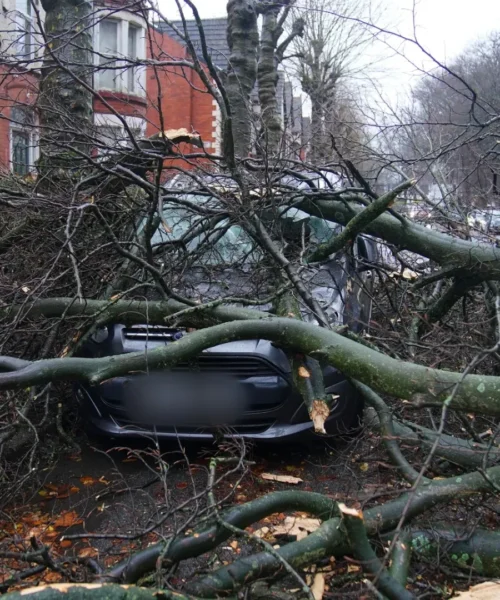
(266, 404)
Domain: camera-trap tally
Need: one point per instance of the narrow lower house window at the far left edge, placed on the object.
(22, 137)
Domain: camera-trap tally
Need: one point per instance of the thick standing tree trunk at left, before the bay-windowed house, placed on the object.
(65, 97)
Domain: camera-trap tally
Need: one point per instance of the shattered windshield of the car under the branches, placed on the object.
(224, 243)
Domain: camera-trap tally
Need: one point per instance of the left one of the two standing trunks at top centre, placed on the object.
(243, 40)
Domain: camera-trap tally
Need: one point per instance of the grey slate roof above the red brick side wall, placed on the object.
(215, 36)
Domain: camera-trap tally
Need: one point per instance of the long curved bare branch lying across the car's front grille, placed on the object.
(473, 393)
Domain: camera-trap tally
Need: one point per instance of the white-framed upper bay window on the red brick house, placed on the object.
(124, 21)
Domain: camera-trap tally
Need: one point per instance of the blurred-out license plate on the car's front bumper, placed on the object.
(185, 399)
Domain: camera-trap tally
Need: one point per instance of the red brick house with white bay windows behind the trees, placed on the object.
(149, 98)
